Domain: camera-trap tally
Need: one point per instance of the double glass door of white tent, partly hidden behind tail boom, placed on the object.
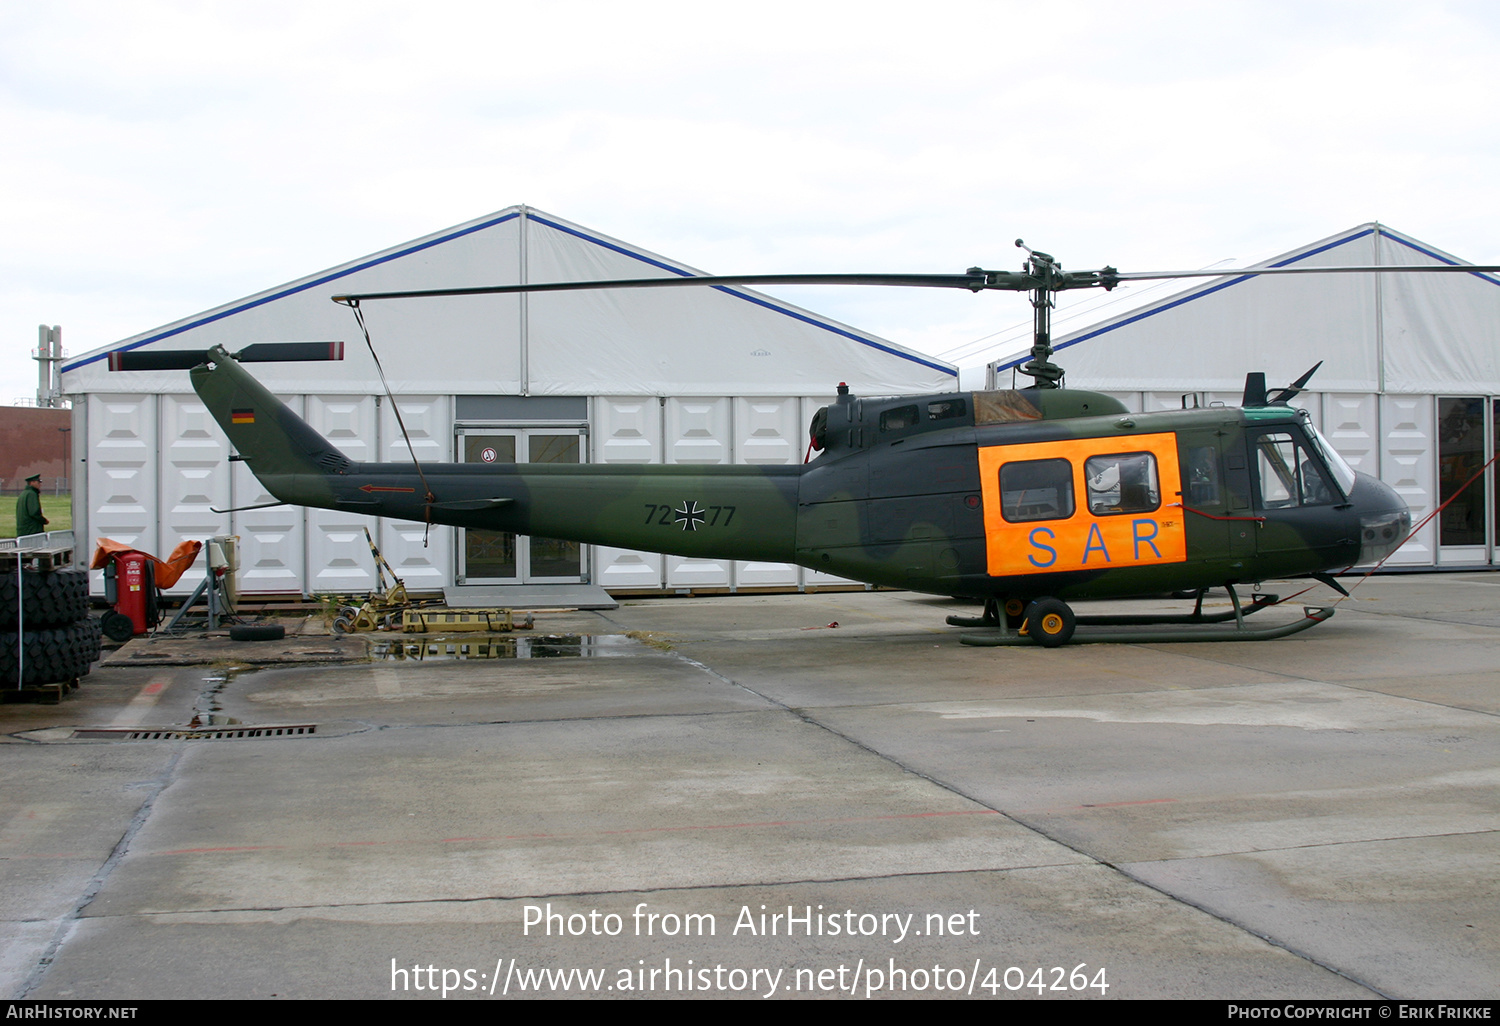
(502, 557)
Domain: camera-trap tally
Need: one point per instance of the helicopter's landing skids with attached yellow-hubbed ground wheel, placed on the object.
(1055, 625)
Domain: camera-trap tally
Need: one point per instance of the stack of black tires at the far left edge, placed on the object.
(53, 638)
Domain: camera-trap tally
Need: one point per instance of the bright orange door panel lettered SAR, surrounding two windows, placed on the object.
(1081, 539)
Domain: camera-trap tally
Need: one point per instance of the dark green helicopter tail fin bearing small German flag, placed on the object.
(283, 451)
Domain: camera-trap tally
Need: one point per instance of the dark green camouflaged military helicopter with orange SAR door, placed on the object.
(1025, 499)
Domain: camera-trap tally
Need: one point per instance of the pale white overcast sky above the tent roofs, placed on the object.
(164, 158)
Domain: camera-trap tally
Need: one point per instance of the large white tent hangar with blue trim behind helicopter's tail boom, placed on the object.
(713, 376)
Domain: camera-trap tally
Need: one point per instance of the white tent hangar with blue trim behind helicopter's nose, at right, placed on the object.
(1409, 382)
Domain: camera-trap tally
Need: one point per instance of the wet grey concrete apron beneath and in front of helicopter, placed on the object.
(1307, 818)
